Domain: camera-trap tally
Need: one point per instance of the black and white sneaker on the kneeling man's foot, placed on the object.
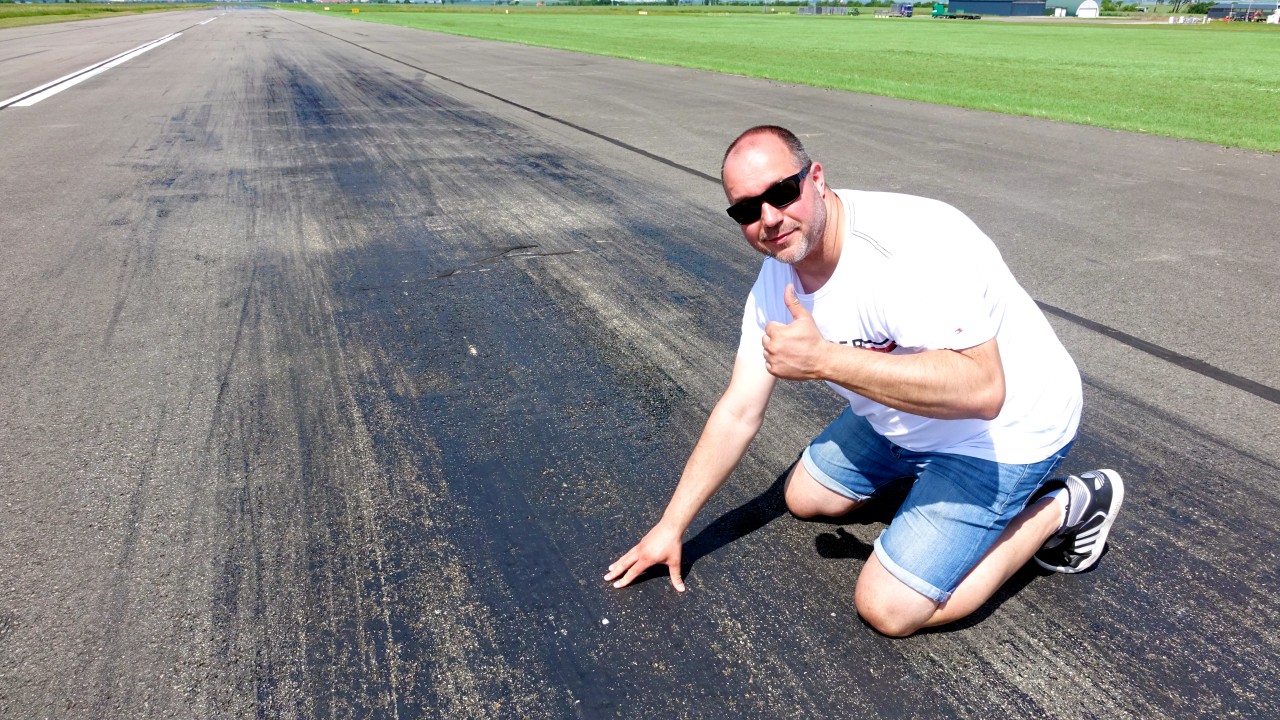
(1092, 503)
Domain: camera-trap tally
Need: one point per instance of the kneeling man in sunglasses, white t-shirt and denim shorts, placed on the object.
(953, 375)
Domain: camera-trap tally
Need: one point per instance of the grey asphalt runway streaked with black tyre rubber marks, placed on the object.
(339, 361)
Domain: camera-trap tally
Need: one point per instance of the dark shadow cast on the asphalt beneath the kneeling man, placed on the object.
(836, 545)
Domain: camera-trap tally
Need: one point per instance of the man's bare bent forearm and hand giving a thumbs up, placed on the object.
(936, 384)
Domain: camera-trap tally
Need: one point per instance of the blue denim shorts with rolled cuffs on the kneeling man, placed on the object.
(956, 512)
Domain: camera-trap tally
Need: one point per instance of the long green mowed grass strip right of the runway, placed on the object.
(1215, 84)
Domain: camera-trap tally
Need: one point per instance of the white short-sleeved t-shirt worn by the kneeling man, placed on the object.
(917, 275)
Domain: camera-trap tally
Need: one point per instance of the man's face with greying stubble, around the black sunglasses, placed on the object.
(785, 234)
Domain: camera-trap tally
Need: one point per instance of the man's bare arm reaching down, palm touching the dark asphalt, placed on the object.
(730, 430)
